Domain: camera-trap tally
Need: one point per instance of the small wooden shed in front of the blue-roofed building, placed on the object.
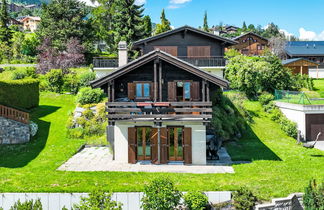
(300, 65)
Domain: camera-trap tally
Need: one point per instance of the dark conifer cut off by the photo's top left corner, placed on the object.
(5, 33)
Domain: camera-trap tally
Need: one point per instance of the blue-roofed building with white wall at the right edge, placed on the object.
(310, 50)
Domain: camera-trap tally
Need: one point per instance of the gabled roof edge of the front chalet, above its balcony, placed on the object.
(164, 57)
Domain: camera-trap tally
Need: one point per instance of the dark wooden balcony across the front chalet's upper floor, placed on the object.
(159, 111)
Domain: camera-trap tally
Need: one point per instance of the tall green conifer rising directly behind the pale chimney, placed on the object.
(128, 22)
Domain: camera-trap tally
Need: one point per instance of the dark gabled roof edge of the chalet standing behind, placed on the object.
(184, 28)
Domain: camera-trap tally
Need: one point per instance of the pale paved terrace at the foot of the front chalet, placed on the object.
(100, 159)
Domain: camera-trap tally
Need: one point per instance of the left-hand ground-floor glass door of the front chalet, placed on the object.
(143, 137)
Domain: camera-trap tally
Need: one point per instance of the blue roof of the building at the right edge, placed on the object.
(305, 48)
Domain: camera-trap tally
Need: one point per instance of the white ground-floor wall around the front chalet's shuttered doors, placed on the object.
(198, 140)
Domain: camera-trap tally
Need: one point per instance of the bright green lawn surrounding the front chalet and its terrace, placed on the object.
(278, 167)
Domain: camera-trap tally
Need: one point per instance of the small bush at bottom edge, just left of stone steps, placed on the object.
(244, 199)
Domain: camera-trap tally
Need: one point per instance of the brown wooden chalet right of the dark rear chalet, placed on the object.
(250, 44)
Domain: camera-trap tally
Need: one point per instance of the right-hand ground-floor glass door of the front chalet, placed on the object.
(175, 140)
